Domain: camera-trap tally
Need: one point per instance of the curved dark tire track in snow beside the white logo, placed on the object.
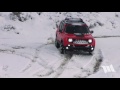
(92, 66)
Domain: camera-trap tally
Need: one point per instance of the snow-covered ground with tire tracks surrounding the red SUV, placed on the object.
(27, 48)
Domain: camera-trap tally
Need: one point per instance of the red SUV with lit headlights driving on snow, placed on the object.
(72, 35)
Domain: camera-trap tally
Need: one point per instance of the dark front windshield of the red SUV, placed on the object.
(77, 29)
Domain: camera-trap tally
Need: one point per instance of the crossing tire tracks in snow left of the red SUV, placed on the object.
(32, 60)
